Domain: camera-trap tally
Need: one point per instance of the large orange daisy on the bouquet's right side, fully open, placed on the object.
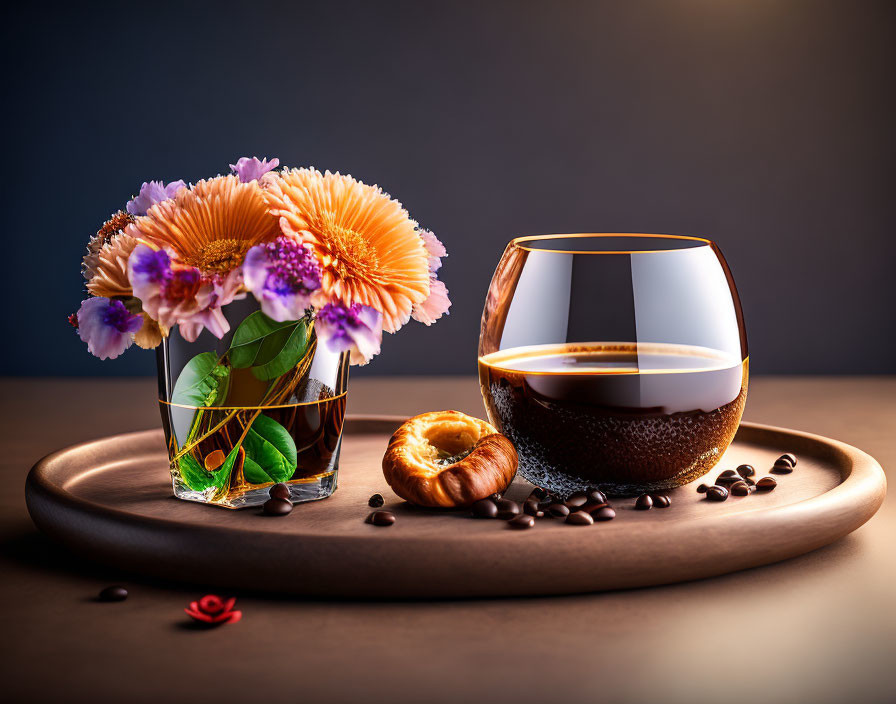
(368, 247)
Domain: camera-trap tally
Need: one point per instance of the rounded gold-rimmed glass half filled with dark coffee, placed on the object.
(616, 361)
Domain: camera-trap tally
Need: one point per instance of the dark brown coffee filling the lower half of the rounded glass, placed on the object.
(625, 417)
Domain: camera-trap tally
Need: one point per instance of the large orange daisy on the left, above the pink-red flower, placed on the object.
(211, 225)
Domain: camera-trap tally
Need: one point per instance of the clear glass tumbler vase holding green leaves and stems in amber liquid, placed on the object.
(261, 406)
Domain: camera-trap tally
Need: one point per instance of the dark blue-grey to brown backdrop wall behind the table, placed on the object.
(767, 126)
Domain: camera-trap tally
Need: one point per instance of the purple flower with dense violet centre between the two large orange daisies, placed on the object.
(282, 275)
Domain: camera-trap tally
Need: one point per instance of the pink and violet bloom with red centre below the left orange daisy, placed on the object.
(182, 295)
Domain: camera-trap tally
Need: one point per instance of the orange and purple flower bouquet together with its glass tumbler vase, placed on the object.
(258, 289)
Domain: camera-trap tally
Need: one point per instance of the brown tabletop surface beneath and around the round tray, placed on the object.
(818, 628)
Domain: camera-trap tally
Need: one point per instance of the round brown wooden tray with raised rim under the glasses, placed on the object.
(111, 501)
